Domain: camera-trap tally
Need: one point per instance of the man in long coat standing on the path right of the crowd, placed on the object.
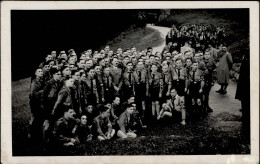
(225, 63)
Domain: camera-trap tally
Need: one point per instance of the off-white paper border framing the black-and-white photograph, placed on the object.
(6, 106)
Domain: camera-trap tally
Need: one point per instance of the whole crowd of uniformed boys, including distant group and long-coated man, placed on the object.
(79, 97)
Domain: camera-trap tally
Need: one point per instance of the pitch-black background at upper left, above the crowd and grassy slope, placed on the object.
(35, 33)
